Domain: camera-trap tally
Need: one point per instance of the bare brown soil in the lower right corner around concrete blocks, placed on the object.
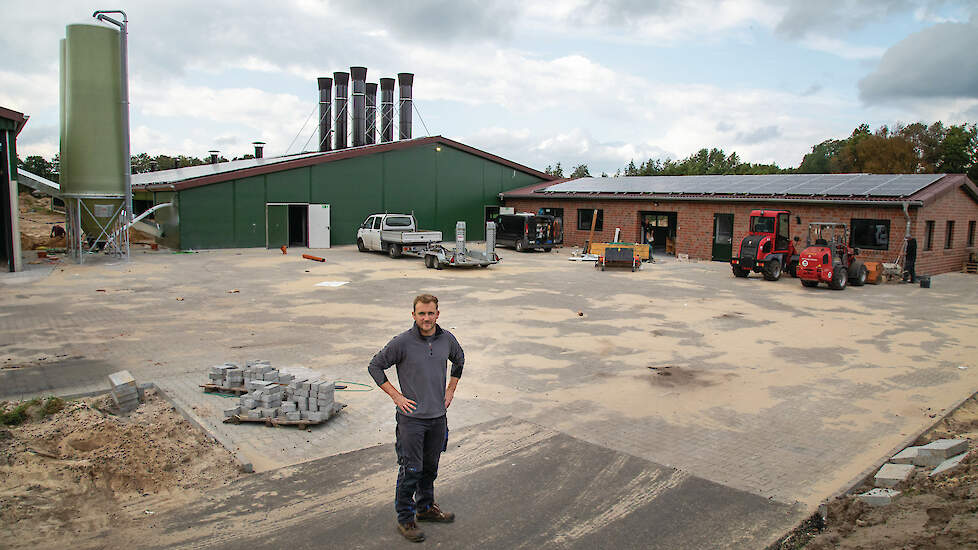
(930, 514)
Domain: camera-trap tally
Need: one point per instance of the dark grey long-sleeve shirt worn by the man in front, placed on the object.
(421, 364)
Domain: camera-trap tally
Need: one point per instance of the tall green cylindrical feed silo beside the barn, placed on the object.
(92, 153)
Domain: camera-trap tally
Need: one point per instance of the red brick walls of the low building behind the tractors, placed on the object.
(694, 233)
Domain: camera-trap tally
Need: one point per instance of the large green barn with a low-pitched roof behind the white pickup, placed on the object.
(319, 199)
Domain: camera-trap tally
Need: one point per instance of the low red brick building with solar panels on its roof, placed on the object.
(706, 216)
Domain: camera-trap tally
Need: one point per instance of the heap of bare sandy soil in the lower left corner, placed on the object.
(71, 479)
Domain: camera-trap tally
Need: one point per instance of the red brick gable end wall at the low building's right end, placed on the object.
(954, 205)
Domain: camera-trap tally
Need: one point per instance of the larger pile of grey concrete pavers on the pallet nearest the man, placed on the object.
(275, 394)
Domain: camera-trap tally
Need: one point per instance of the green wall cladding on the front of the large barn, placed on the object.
(439, 186)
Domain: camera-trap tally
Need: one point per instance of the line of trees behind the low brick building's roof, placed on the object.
(913, 149)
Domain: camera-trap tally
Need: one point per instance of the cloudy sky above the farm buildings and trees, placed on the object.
(599, 82)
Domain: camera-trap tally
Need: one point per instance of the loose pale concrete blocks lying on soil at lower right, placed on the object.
(938, 456)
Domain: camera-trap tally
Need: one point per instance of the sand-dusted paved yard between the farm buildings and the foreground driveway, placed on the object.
(764, 389)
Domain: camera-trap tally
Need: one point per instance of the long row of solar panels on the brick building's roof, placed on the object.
(845, 185)
